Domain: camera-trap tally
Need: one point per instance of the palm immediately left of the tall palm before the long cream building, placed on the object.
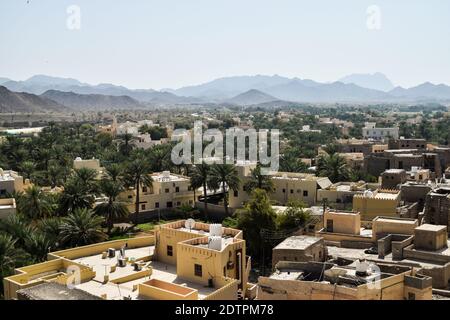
(112, 209)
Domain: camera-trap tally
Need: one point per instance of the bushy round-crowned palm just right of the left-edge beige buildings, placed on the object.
(33, 203)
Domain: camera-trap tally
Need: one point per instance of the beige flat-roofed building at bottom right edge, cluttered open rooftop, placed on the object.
(359, 280)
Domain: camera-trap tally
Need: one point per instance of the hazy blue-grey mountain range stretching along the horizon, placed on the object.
(238, 90)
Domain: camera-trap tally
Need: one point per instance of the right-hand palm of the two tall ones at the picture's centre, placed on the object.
(223, 175)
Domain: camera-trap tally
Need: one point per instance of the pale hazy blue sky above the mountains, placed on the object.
(173, 43)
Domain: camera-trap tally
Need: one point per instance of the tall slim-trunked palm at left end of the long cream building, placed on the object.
(137, 174)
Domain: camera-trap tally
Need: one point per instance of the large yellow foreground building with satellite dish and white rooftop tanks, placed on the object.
(183, 260)
